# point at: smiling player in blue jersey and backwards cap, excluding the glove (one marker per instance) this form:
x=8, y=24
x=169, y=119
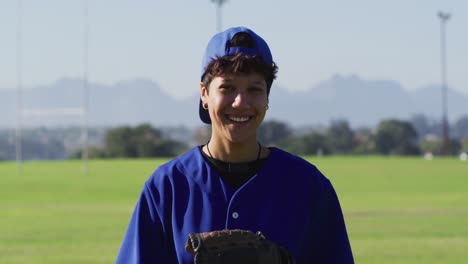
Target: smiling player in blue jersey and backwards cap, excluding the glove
x=233, y=182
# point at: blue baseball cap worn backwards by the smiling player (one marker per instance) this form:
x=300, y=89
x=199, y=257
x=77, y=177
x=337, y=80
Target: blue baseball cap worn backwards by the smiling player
x=219, y=46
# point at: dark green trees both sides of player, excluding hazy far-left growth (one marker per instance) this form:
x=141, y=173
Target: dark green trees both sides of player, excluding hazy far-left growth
x=389, y=137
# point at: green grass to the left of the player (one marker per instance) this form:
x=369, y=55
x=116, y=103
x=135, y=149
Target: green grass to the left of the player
x=52, y=213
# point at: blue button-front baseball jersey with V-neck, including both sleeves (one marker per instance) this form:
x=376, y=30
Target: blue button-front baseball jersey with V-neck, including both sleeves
x=289, y=200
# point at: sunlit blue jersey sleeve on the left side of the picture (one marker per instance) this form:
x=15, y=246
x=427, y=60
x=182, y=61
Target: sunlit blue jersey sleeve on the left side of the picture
x=143, y=242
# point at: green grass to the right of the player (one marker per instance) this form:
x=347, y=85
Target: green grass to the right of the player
x=403, y=210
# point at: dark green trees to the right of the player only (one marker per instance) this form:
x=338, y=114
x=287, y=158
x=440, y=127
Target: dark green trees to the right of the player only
x=389, y=137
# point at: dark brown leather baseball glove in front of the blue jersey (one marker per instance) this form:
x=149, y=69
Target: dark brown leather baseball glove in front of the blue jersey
x=235, y=247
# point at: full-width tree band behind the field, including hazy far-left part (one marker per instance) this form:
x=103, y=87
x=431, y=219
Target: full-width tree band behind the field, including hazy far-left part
x=415, y=136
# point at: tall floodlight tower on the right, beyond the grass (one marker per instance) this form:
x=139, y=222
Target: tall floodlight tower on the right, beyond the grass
x=445, y=128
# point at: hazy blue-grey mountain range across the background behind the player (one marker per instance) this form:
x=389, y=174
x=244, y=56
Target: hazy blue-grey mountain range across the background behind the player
x=361, y=102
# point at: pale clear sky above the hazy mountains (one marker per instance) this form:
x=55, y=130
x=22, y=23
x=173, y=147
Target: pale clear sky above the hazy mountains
x=164, y=41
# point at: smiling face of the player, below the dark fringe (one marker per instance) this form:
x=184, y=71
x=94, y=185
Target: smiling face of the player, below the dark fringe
x=237, y=105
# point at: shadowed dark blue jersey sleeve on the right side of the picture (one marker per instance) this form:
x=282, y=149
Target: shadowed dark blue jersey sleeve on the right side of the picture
x=336, y=242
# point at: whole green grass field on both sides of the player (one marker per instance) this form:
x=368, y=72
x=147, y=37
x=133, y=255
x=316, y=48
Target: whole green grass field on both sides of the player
x=397, y=210
